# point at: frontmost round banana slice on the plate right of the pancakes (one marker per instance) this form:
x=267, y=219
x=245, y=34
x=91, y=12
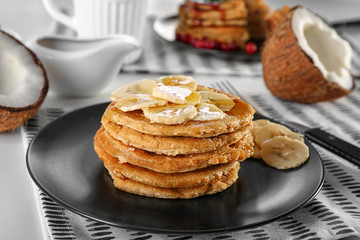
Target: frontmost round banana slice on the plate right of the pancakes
x=282, y=152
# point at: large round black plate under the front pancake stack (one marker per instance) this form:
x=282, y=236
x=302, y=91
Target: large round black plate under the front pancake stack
x=62, y=162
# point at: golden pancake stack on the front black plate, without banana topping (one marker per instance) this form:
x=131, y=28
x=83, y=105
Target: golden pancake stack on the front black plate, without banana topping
x=174, y=161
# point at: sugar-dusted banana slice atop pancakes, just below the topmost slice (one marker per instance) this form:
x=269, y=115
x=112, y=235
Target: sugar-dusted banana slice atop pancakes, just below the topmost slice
x=176, y=94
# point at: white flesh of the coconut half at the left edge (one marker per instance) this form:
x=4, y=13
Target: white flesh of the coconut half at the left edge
x=21, y=80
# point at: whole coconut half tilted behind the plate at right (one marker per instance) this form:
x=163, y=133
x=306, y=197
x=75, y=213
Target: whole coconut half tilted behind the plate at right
x=305, y=60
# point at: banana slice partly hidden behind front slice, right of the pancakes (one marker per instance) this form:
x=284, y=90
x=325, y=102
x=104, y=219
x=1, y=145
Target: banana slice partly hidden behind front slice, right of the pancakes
x=271, y=130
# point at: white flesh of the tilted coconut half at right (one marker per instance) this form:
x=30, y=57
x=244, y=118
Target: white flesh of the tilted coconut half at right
x=329, y=52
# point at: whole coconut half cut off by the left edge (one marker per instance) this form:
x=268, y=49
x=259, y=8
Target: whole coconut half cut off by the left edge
x=23, y=83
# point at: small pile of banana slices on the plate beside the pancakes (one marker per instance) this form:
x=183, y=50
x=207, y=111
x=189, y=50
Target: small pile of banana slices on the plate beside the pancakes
x=277, y=145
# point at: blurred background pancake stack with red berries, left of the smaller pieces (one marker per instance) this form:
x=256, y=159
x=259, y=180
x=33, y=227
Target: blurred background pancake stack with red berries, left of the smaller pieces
x=220, y=25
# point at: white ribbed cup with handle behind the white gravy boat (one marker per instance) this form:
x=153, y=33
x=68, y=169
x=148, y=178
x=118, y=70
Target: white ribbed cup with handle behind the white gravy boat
x=94, y=18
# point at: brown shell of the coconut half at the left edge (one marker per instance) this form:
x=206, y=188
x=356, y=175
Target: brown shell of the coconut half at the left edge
x=12, y=117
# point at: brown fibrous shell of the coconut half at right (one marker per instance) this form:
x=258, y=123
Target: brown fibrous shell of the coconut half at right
x=289, y=73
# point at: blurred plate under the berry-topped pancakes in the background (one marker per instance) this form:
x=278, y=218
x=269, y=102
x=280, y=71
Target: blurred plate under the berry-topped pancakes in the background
x=164, y=28
